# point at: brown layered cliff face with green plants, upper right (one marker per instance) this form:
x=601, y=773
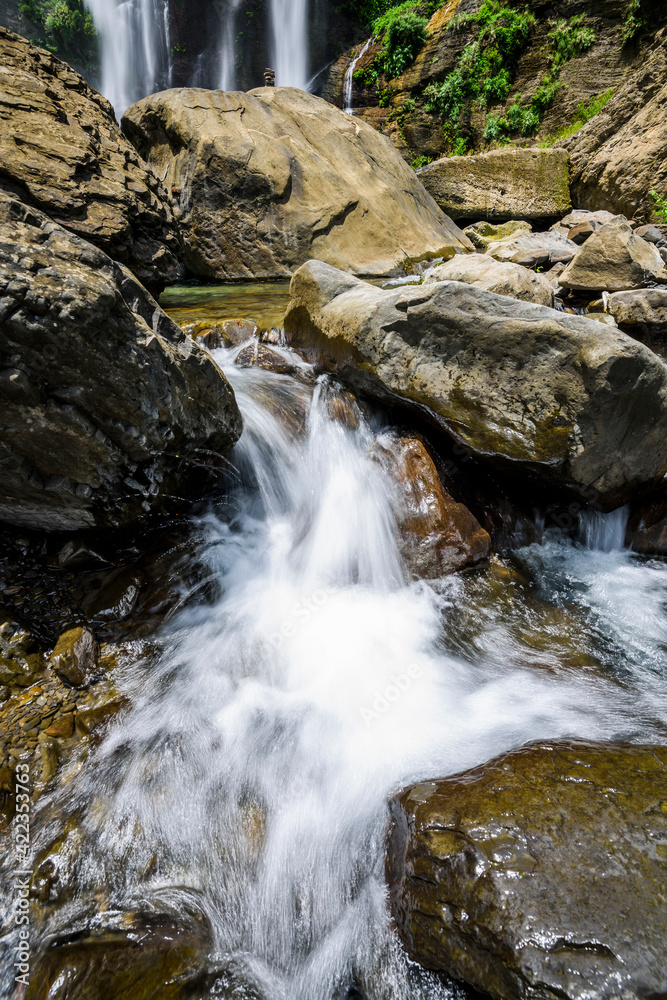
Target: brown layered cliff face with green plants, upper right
x=625, y=71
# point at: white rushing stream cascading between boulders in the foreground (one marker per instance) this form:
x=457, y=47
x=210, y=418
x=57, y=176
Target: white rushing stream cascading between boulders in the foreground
x=250, y=777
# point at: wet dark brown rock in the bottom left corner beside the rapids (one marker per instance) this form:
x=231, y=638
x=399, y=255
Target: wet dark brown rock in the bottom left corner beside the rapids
x=143, y=957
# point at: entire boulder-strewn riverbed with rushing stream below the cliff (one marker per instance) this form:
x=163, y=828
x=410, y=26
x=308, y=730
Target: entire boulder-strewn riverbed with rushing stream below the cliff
x=332, y=613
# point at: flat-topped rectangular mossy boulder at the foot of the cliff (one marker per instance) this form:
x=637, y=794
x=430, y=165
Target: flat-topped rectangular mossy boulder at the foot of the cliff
x=508, y=183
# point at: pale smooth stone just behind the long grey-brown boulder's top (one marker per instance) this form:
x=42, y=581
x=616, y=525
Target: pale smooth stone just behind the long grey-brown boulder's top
x=502, y=278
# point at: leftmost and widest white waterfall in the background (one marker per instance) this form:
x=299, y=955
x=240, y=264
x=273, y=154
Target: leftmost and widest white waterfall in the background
x=135, y=48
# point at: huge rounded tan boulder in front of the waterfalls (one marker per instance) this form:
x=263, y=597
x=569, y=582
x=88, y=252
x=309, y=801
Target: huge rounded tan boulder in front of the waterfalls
x=273, y=178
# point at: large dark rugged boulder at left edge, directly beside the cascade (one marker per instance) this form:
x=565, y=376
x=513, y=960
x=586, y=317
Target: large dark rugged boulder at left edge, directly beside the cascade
x=107, y=407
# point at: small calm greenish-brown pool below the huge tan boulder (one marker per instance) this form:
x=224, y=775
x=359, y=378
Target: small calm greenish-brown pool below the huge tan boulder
x=264, y=303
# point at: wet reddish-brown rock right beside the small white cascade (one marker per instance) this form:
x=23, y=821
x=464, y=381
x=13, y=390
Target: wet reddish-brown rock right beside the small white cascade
x=438, y=535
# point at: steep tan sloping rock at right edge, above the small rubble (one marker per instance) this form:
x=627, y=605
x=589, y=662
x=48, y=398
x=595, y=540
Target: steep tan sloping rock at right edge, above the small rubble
x=620, y=156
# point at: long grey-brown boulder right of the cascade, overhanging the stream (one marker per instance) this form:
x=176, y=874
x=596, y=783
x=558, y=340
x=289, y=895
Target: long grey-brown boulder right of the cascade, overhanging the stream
x=553, y=396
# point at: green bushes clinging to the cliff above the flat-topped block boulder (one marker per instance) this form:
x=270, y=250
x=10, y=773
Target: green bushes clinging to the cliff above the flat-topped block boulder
x=487, y=67
